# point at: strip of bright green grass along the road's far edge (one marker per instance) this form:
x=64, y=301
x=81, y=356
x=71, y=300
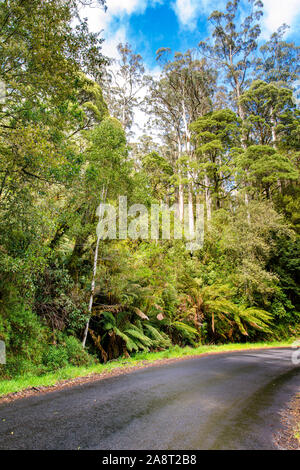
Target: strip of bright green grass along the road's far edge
x=27, y=381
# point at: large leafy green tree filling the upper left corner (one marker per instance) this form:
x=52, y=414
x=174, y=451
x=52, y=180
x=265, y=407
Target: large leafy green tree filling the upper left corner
x=43, y=59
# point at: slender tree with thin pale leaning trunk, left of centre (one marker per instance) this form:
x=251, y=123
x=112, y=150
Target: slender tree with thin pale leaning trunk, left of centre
x=105, y=173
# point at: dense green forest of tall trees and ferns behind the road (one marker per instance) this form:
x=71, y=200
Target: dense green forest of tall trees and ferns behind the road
x=223, y=131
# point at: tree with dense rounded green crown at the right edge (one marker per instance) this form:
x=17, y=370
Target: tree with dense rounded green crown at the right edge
x=268, y=161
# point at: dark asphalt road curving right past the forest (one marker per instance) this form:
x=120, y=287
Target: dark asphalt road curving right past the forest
x=227, y=401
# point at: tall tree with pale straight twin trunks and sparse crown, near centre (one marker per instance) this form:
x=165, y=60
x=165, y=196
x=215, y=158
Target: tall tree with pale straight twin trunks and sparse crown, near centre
x=182, y=94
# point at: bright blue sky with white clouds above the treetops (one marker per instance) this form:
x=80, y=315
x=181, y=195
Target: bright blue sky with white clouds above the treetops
x=178, y=24
